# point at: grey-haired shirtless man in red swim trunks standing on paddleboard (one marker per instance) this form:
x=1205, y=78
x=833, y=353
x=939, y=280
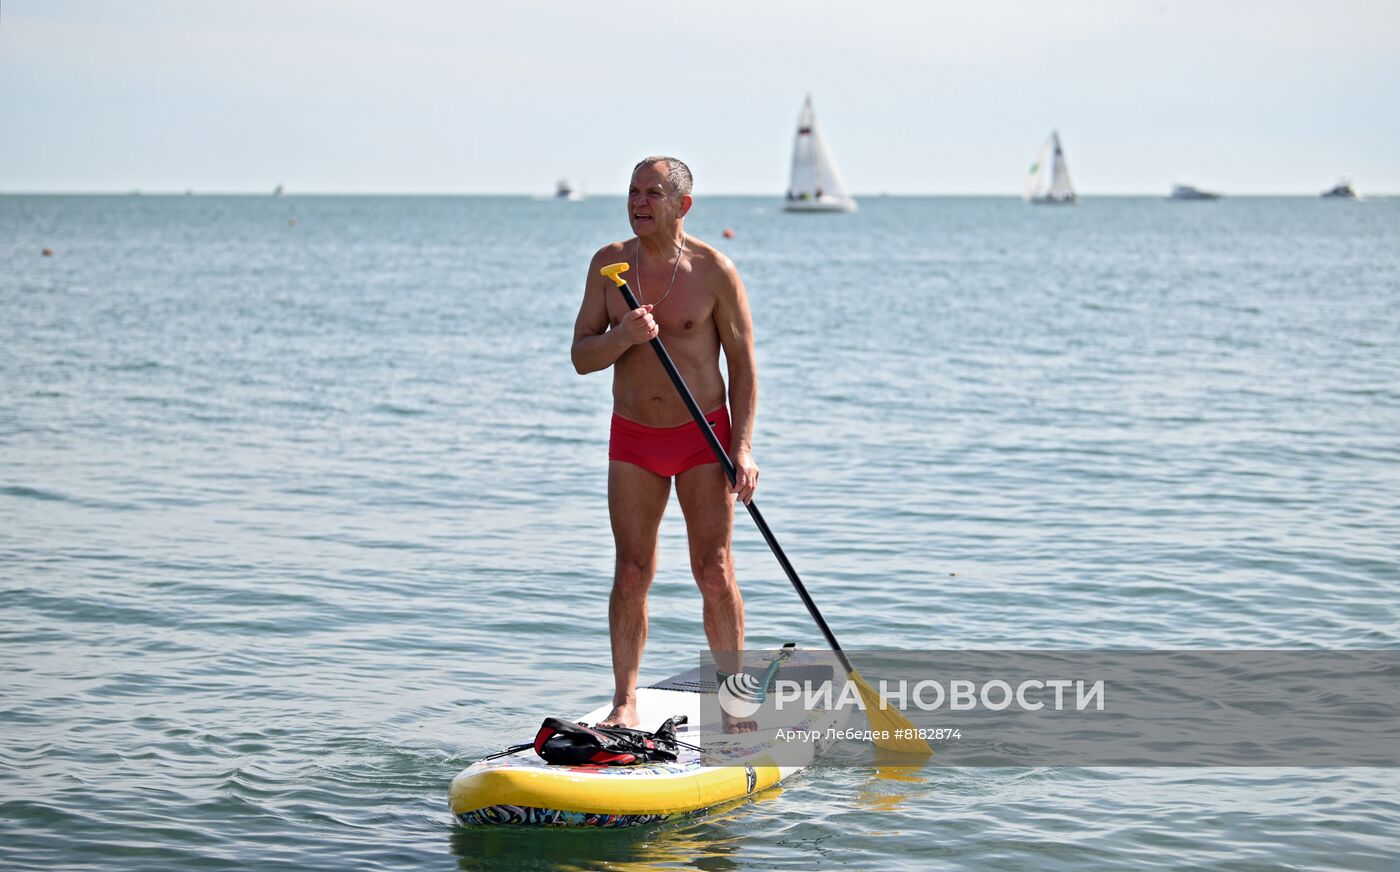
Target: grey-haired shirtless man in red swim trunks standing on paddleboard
x=694, y=299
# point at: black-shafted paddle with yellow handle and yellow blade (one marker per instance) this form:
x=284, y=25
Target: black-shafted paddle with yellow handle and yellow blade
x=887, y=724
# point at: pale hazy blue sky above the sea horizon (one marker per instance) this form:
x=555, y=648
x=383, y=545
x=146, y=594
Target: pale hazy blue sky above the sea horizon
x=507, y=97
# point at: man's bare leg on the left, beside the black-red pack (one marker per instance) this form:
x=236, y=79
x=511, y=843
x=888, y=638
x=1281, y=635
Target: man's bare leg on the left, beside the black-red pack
x=636, y=502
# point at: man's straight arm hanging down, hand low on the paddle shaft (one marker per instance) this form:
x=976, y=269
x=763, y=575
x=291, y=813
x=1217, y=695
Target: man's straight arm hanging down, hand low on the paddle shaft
x=736, y=327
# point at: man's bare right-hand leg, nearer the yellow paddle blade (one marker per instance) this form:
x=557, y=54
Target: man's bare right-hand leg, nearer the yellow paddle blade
x=709, y=507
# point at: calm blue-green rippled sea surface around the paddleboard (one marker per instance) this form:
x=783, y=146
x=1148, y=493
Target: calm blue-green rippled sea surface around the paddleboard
x=302, y=512
